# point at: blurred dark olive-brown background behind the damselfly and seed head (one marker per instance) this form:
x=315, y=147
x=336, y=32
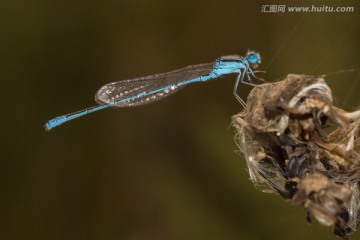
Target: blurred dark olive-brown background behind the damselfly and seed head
x=166, y=170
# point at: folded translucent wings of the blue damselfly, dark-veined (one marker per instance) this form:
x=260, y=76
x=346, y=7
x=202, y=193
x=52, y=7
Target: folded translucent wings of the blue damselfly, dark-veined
x=143, y=90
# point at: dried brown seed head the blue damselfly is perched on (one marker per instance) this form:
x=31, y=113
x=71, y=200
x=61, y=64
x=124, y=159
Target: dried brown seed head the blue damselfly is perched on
x=290, y=151
